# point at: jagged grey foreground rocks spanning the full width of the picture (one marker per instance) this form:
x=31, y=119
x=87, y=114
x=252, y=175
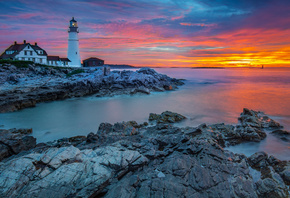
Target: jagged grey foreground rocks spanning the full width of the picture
x=155, y=159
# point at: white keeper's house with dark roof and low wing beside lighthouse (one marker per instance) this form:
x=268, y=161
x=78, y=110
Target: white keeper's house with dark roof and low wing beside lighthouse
x=28, y=52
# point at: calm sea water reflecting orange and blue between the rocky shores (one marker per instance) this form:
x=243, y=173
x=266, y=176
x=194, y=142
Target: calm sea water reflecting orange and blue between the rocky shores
x=209, y=96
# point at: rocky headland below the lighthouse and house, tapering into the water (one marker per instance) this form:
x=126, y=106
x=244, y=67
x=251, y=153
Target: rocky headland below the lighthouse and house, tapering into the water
x=25, y=86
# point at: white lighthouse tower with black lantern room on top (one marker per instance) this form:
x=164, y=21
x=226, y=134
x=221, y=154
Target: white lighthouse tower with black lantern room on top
x=73, y=52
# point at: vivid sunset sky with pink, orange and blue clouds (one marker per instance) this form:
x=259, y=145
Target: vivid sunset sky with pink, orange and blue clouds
x=188, y=33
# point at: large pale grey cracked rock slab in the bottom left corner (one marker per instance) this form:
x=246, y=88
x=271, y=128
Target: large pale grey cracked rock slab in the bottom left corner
x=66, y=171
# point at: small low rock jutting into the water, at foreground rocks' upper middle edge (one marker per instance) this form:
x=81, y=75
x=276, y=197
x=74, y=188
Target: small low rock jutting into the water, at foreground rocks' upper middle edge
x=166, y=117
